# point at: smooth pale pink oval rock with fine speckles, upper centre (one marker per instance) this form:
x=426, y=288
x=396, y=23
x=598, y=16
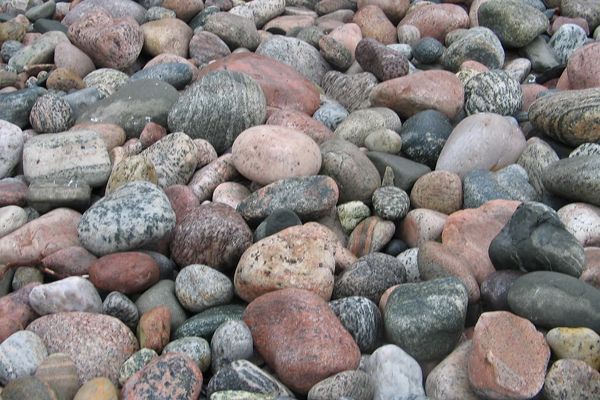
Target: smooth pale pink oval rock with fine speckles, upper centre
x=267, y=153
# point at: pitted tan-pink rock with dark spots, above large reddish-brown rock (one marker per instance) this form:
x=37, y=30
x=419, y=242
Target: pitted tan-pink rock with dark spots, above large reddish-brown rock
x=292, y=258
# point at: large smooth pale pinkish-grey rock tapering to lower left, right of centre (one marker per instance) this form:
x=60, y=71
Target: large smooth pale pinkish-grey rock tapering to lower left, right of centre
x=497, y=142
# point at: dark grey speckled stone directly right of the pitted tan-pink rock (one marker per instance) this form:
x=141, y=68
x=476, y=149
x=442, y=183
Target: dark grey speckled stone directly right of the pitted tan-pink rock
x=369, y=277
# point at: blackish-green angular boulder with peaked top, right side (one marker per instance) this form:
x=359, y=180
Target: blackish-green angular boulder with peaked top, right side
x=535, y=239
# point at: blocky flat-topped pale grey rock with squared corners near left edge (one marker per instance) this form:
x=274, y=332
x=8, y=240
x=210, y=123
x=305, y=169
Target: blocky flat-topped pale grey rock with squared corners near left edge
x=79, y=155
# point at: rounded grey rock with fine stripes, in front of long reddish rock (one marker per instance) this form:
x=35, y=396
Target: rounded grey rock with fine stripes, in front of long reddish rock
x=219, y=92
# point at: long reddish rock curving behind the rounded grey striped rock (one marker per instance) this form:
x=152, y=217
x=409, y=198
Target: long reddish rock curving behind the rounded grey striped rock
x=284, y=88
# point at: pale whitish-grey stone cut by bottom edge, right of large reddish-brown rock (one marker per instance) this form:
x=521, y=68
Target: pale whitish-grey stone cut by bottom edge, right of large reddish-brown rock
x=394, y=374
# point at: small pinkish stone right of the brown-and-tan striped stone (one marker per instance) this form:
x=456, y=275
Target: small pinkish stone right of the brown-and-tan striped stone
x=421, y=225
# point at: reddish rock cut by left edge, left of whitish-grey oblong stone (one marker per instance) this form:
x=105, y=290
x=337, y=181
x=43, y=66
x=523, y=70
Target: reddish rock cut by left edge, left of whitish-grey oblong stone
x=15, y=312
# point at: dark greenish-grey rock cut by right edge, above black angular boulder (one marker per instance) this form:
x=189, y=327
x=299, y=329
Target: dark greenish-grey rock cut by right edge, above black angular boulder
x=574, y=178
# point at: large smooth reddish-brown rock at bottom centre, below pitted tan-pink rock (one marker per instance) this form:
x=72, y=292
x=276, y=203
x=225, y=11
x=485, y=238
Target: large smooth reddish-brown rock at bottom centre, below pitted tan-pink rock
x=300, y=338
